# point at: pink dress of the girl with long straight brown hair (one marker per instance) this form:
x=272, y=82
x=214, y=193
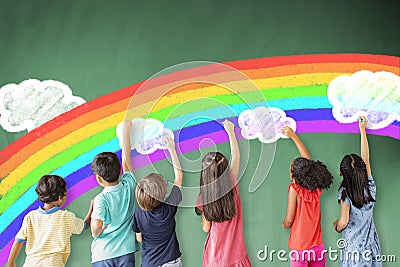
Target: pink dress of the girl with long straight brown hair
x=225, y=242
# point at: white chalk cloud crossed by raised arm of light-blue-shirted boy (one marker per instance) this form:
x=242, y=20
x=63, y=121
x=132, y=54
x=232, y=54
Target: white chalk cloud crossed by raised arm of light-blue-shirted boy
x=146, y=135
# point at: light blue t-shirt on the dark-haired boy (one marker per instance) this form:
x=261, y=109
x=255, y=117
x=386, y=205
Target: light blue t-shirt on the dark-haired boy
x=115, y=206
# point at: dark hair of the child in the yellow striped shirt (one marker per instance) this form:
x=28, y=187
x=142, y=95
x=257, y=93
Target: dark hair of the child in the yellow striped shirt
x=50, y=188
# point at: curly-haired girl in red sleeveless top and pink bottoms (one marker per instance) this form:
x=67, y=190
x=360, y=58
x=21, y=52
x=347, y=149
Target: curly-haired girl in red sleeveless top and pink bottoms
x=303, y=215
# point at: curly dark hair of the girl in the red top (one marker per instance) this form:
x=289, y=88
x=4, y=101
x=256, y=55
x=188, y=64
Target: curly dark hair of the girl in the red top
x=310, y=174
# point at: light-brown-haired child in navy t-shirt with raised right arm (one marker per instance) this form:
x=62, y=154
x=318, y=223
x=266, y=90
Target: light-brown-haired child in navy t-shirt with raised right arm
x=154, y=221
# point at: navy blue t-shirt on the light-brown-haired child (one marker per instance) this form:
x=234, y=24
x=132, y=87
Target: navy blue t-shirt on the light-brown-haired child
x=159, y=242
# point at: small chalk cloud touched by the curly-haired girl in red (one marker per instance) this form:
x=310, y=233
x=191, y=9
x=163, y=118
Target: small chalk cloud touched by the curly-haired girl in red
x=264, y=123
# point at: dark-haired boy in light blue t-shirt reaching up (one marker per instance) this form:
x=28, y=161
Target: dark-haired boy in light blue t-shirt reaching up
x=114, y=241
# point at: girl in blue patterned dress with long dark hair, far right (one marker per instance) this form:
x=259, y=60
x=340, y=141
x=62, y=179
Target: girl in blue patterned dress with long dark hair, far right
x=357, y=200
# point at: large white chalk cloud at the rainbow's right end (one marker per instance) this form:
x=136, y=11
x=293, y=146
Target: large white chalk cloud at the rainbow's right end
x=365, y=93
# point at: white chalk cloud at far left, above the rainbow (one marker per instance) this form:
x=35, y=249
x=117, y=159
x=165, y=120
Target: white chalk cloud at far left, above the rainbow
x=31, y=103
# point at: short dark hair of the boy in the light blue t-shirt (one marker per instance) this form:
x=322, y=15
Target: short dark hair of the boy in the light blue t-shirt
x=107, y=166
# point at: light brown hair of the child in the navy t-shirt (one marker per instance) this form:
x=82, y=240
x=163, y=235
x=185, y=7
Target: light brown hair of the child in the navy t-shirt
x=150, y=191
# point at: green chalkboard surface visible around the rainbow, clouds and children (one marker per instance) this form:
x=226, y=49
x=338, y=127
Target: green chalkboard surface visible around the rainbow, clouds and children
x=97, y=47
